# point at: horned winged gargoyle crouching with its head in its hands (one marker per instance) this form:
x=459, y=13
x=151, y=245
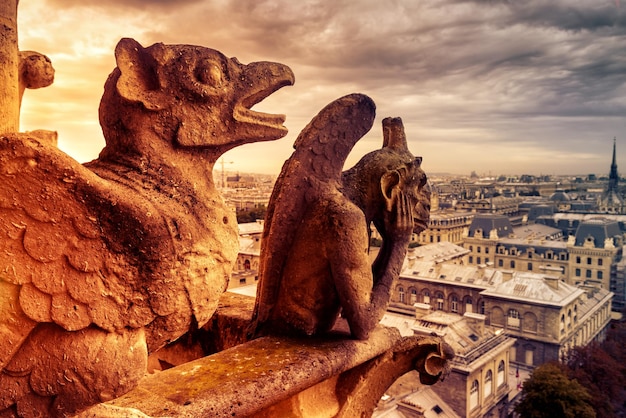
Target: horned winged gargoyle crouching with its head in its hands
x=314, y=251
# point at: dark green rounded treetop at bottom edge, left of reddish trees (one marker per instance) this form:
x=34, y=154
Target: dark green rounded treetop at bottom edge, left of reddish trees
x=548, y=393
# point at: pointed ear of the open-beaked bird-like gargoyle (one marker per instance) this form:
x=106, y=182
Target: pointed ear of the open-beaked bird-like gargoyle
x=139, y=80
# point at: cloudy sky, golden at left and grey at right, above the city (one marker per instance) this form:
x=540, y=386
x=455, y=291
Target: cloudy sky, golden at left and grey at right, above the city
x=535, y=86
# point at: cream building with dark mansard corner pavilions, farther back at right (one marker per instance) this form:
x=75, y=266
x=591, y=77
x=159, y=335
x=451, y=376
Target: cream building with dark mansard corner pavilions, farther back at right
x=590, y=256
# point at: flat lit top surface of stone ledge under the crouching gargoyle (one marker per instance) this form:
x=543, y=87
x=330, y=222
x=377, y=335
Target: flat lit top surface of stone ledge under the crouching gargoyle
x=252, y=376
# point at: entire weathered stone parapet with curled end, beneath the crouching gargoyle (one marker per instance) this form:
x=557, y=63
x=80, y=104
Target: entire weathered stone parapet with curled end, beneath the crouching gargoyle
x=334, y=376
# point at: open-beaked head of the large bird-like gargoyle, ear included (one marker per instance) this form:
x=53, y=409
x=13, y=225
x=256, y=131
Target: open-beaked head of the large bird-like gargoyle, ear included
x=194, y=96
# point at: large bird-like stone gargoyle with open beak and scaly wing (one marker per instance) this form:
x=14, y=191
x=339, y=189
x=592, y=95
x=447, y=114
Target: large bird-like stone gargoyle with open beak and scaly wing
x=103, y=263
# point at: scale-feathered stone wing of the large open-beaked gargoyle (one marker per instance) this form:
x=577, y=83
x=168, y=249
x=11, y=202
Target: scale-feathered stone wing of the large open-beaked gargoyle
x=55, y=265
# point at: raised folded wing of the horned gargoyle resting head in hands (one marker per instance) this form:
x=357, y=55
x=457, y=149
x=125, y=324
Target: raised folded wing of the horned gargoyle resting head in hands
x=314, y=168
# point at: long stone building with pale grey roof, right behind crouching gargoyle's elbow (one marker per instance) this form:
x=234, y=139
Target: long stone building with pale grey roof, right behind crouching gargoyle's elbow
x=546, y=315
